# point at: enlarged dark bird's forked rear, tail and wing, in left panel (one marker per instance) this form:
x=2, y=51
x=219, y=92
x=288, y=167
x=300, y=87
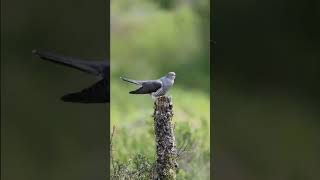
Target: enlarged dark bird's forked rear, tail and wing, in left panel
x=99, y=92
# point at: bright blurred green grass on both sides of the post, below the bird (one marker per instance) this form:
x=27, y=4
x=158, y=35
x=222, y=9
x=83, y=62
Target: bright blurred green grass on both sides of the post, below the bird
x=132, y=116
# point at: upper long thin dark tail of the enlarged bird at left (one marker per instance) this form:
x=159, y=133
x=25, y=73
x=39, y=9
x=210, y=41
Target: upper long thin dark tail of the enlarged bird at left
x=92, y=67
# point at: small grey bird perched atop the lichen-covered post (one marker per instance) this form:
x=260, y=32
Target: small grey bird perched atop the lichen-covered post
x=155, y=88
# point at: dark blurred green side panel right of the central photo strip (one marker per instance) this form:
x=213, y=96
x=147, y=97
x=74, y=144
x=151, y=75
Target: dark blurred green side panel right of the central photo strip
x=266, y=90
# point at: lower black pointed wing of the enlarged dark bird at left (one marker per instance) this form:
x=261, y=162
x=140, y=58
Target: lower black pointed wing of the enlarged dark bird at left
x=97, y=93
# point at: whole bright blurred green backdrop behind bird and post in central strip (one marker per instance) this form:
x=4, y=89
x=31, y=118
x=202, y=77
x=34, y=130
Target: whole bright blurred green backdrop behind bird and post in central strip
x=148, y=40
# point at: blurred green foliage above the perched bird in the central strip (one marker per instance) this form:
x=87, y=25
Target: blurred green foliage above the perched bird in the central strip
x=147, y=41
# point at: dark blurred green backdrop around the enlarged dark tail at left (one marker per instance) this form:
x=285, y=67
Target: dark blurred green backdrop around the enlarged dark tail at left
x=42, y=137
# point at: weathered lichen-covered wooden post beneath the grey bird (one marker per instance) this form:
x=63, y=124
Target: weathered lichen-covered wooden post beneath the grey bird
x=166, y=164
